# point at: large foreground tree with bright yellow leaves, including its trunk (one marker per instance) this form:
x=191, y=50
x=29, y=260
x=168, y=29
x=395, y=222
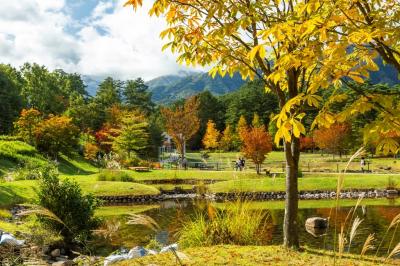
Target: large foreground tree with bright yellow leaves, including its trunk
x=295, y=47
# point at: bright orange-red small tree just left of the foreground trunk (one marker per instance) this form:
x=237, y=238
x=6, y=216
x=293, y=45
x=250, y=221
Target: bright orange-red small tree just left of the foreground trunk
x=257, y=143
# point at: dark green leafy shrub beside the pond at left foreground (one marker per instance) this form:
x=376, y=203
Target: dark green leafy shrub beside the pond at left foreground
x=66, y=200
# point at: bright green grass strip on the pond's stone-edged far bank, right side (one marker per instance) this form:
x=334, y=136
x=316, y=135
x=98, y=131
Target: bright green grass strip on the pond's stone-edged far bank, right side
x=361, y=181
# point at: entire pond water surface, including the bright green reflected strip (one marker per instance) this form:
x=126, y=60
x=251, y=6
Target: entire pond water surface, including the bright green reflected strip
x=376, y=214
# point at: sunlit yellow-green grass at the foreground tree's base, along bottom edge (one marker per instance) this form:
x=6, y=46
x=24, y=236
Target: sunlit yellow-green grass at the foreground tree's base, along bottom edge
x=254, y=255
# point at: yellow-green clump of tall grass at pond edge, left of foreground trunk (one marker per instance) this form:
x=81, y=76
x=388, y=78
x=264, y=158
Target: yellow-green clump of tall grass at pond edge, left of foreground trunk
x=236, y=224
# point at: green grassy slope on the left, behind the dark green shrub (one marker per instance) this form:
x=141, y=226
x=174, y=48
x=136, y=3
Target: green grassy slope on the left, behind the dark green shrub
x=12, y=152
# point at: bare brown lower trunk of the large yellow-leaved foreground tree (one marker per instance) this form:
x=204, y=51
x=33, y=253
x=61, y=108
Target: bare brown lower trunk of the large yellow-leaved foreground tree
x=290, y=226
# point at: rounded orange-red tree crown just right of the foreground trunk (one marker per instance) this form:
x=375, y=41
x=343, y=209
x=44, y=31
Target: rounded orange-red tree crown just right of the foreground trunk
x=333, y=138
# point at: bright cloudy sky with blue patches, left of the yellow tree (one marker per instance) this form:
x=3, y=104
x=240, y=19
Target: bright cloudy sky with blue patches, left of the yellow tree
x=91, y=37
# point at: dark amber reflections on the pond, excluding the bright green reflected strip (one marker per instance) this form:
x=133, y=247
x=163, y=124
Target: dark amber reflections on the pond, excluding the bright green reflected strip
x=171, y=214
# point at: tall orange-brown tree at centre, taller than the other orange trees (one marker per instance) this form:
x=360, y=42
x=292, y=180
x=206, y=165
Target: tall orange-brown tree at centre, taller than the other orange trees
x=182, y=123
